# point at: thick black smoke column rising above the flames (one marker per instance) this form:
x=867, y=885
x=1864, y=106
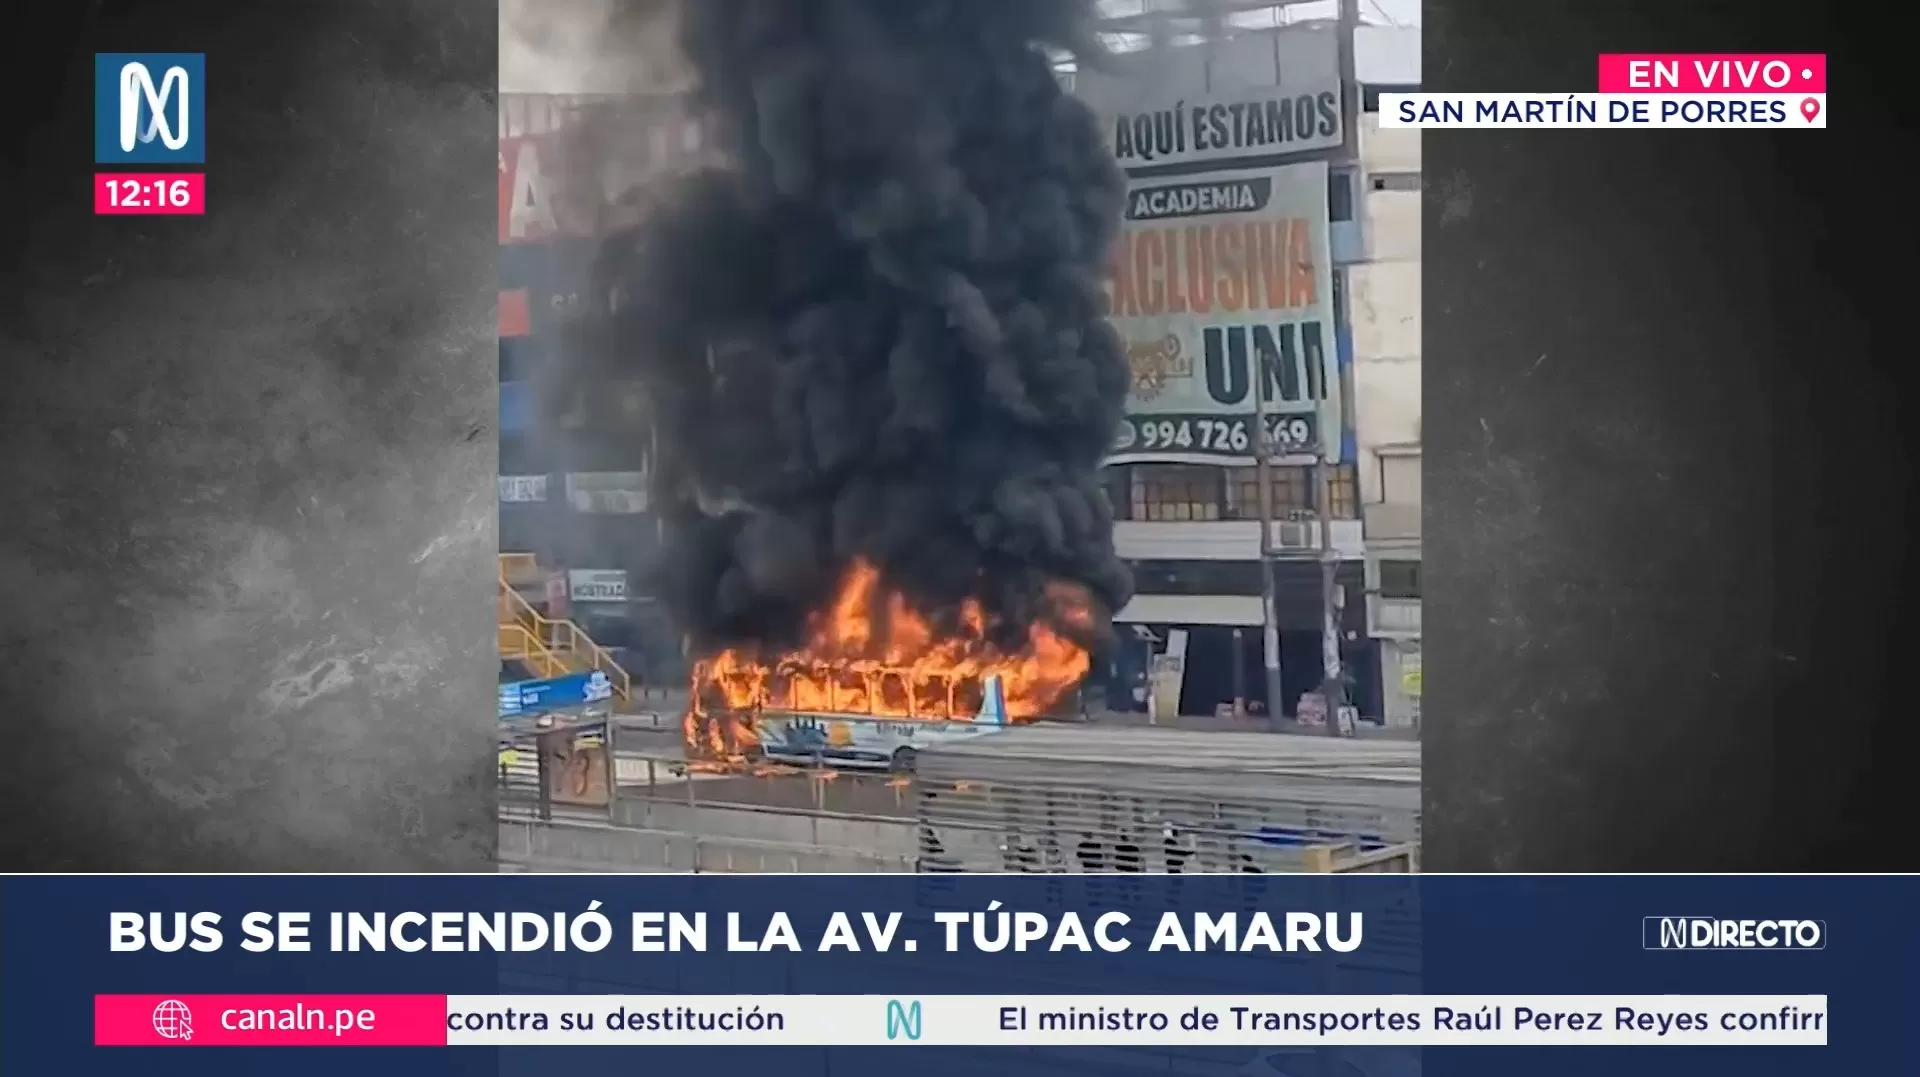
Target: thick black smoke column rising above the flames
x=880, y=333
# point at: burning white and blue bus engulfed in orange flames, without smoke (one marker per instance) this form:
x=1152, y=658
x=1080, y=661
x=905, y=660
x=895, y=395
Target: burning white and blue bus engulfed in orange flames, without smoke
x=876, y=682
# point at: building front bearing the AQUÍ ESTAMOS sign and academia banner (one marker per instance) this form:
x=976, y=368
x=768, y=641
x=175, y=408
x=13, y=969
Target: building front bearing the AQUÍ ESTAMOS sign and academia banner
x=1247, y=130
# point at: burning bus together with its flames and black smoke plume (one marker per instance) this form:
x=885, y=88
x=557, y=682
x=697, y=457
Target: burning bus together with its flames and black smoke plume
x=876, y=370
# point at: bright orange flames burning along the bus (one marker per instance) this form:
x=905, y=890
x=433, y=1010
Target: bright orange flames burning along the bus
x=871, y=654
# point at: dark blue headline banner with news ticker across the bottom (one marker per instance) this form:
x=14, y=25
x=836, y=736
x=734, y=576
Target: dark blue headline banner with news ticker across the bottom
x=1007, y=976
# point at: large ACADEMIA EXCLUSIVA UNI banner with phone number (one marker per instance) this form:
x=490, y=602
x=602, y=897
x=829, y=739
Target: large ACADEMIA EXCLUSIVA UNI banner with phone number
x=1222, y=285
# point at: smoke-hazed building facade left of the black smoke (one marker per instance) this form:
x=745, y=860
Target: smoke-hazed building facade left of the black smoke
x=575, y=464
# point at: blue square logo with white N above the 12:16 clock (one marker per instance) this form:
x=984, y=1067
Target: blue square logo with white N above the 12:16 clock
x=151, y=108
